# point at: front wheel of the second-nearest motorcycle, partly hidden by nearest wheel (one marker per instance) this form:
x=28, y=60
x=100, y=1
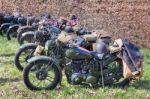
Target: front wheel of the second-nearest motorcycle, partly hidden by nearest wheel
x=23, y=54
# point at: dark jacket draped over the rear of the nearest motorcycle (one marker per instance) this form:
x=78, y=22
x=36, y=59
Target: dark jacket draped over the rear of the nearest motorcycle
x=131, y=55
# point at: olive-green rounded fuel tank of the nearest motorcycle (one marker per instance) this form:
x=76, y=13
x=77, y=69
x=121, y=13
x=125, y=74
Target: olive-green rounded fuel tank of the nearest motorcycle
x=78, y=53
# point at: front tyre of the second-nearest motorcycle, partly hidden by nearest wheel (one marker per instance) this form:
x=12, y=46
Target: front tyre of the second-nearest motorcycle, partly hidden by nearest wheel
x=19, y=52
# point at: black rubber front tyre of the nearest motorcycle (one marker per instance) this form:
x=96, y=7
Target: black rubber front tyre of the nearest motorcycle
x=30, y=86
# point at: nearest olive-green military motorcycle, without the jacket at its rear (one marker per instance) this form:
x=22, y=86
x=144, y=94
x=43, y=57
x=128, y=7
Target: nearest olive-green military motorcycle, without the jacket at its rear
x=81, y=66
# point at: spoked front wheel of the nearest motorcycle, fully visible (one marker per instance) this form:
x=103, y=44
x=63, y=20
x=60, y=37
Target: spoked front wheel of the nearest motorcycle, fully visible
x=41, y=75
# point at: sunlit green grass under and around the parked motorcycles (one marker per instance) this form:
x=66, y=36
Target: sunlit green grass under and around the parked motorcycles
x=12, y=86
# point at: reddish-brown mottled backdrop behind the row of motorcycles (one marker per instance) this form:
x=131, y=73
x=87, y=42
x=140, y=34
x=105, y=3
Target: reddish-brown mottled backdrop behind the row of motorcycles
x=123, y=18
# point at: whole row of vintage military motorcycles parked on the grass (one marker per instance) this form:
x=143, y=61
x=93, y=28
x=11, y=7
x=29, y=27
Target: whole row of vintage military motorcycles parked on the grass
x=50, y=49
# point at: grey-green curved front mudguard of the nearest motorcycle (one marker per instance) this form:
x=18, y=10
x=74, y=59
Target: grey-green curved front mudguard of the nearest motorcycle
x=40, y=58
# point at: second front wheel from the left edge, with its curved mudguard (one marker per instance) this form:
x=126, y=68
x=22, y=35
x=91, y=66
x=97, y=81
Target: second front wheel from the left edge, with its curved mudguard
x=12, y=29
